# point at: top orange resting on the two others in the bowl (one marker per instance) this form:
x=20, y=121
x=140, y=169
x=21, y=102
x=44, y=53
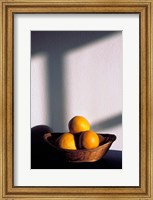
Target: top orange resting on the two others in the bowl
x=78, y=124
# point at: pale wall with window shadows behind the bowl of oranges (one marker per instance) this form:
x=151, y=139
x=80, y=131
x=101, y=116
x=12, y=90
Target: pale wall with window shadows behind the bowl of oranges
x=77, y=73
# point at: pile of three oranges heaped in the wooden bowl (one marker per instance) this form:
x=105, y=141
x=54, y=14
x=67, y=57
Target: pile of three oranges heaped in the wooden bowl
x=79, y=136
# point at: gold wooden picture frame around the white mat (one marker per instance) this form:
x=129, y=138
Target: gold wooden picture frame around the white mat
x=145, y=11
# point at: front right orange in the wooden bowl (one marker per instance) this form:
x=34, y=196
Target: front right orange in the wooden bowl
x=89, y=140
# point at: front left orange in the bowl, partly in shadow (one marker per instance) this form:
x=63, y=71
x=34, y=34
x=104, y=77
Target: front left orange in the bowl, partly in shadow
x=67, y=141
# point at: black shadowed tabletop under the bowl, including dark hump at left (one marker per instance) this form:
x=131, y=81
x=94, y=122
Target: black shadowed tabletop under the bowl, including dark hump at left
x=43, y=156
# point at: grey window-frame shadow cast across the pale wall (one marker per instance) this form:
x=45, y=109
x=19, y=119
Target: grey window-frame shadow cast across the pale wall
x=55, y=44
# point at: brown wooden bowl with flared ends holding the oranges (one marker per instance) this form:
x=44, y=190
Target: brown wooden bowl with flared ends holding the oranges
x=82, y=155
